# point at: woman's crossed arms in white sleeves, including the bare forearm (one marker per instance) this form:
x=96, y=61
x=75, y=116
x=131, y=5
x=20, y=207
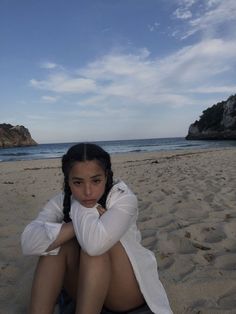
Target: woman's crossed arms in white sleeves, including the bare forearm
x=96, y=230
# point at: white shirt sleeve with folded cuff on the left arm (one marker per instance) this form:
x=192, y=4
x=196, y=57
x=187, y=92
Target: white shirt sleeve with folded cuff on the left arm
x=43, y=231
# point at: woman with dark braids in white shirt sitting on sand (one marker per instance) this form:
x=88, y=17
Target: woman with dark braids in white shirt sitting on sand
x=89, y=244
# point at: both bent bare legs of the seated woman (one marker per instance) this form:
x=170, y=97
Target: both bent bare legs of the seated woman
x=92, y=281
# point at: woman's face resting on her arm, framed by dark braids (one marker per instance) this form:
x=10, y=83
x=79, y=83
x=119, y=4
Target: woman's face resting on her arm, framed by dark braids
x=87, y=181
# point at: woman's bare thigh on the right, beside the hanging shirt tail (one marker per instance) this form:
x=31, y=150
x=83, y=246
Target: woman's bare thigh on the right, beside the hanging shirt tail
x=124, y=292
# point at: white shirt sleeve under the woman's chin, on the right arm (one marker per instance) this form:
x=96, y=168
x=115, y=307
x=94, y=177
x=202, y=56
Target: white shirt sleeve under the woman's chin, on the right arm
x=96, y=234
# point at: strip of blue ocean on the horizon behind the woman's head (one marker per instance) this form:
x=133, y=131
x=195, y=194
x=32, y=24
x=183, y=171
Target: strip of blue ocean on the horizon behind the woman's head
x=56, y=150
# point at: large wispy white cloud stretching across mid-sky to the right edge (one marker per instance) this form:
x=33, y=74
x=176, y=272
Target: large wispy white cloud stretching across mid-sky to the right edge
x=137, y=82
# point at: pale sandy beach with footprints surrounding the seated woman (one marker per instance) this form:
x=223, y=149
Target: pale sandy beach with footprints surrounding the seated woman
x=187, y=216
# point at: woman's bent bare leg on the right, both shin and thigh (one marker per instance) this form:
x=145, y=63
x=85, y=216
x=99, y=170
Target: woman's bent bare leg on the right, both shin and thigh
x=107, y=279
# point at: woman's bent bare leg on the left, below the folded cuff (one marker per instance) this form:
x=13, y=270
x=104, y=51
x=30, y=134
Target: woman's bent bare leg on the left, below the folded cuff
x=49, y=278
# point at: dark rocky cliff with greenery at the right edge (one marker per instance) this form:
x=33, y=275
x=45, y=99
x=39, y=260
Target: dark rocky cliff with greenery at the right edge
x=216, y=123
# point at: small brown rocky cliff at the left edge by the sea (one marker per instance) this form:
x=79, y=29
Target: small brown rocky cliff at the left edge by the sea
x=15, y=136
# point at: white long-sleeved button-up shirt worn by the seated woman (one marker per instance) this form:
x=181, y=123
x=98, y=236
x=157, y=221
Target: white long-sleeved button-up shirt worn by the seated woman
x=97, y=234
